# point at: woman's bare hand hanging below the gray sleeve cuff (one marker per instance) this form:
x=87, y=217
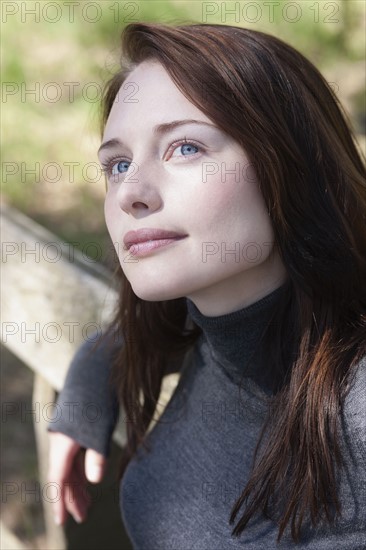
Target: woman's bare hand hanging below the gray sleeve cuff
x=70, y=467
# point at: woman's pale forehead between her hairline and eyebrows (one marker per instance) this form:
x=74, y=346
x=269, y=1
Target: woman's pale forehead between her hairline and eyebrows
x=149, y=96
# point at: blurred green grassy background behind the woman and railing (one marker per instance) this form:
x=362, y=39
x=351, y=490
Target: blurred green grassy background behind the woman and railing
x=56, y=56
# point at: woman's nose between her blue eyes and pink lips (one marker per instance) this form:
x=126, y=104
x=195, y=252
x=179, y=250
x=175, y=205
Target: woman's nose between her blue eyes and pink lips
x=139, y=193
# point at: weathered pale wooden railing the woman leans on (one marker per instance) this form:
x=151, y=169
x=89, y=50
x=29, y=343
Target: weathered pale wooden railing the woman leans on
x=52, y=298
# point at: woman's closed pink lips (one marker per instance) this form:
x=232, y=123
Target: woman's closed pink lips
x=150, y=239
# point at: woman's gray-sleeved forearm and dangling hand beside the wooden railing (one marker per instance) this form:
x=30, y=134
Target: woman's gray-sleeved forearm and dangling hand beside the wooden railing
x=84, y=417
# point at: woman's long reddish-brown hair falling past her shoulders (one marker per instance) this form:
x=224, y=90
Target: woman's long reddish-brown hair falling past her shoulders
x=276, y=104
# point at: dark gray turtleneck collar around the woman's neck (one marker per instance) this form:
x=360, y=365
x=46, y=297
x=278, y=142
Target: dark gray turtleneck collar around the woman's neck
x=232, y=338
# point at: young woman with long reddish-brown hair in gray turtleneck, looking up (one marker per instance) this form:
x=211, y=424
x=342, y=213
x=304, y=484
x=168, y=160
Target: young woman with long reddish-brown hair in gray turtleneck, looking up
x=237, y=204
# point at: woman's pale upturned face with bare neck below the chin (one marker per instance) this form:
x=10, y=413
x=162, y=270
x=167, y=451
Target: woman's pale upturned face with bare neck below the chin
x=192, y=179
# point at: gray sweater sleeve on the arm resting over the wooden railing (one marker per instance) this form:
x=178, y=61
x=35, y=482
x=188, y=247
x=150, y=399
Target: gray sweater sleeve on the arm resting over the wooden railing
x=87, y=407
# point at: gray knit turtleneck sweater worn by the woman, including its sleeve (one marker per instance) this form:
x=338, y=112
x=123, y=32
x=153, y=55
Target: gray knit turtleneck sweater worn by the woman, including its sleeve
x=179, y=495
